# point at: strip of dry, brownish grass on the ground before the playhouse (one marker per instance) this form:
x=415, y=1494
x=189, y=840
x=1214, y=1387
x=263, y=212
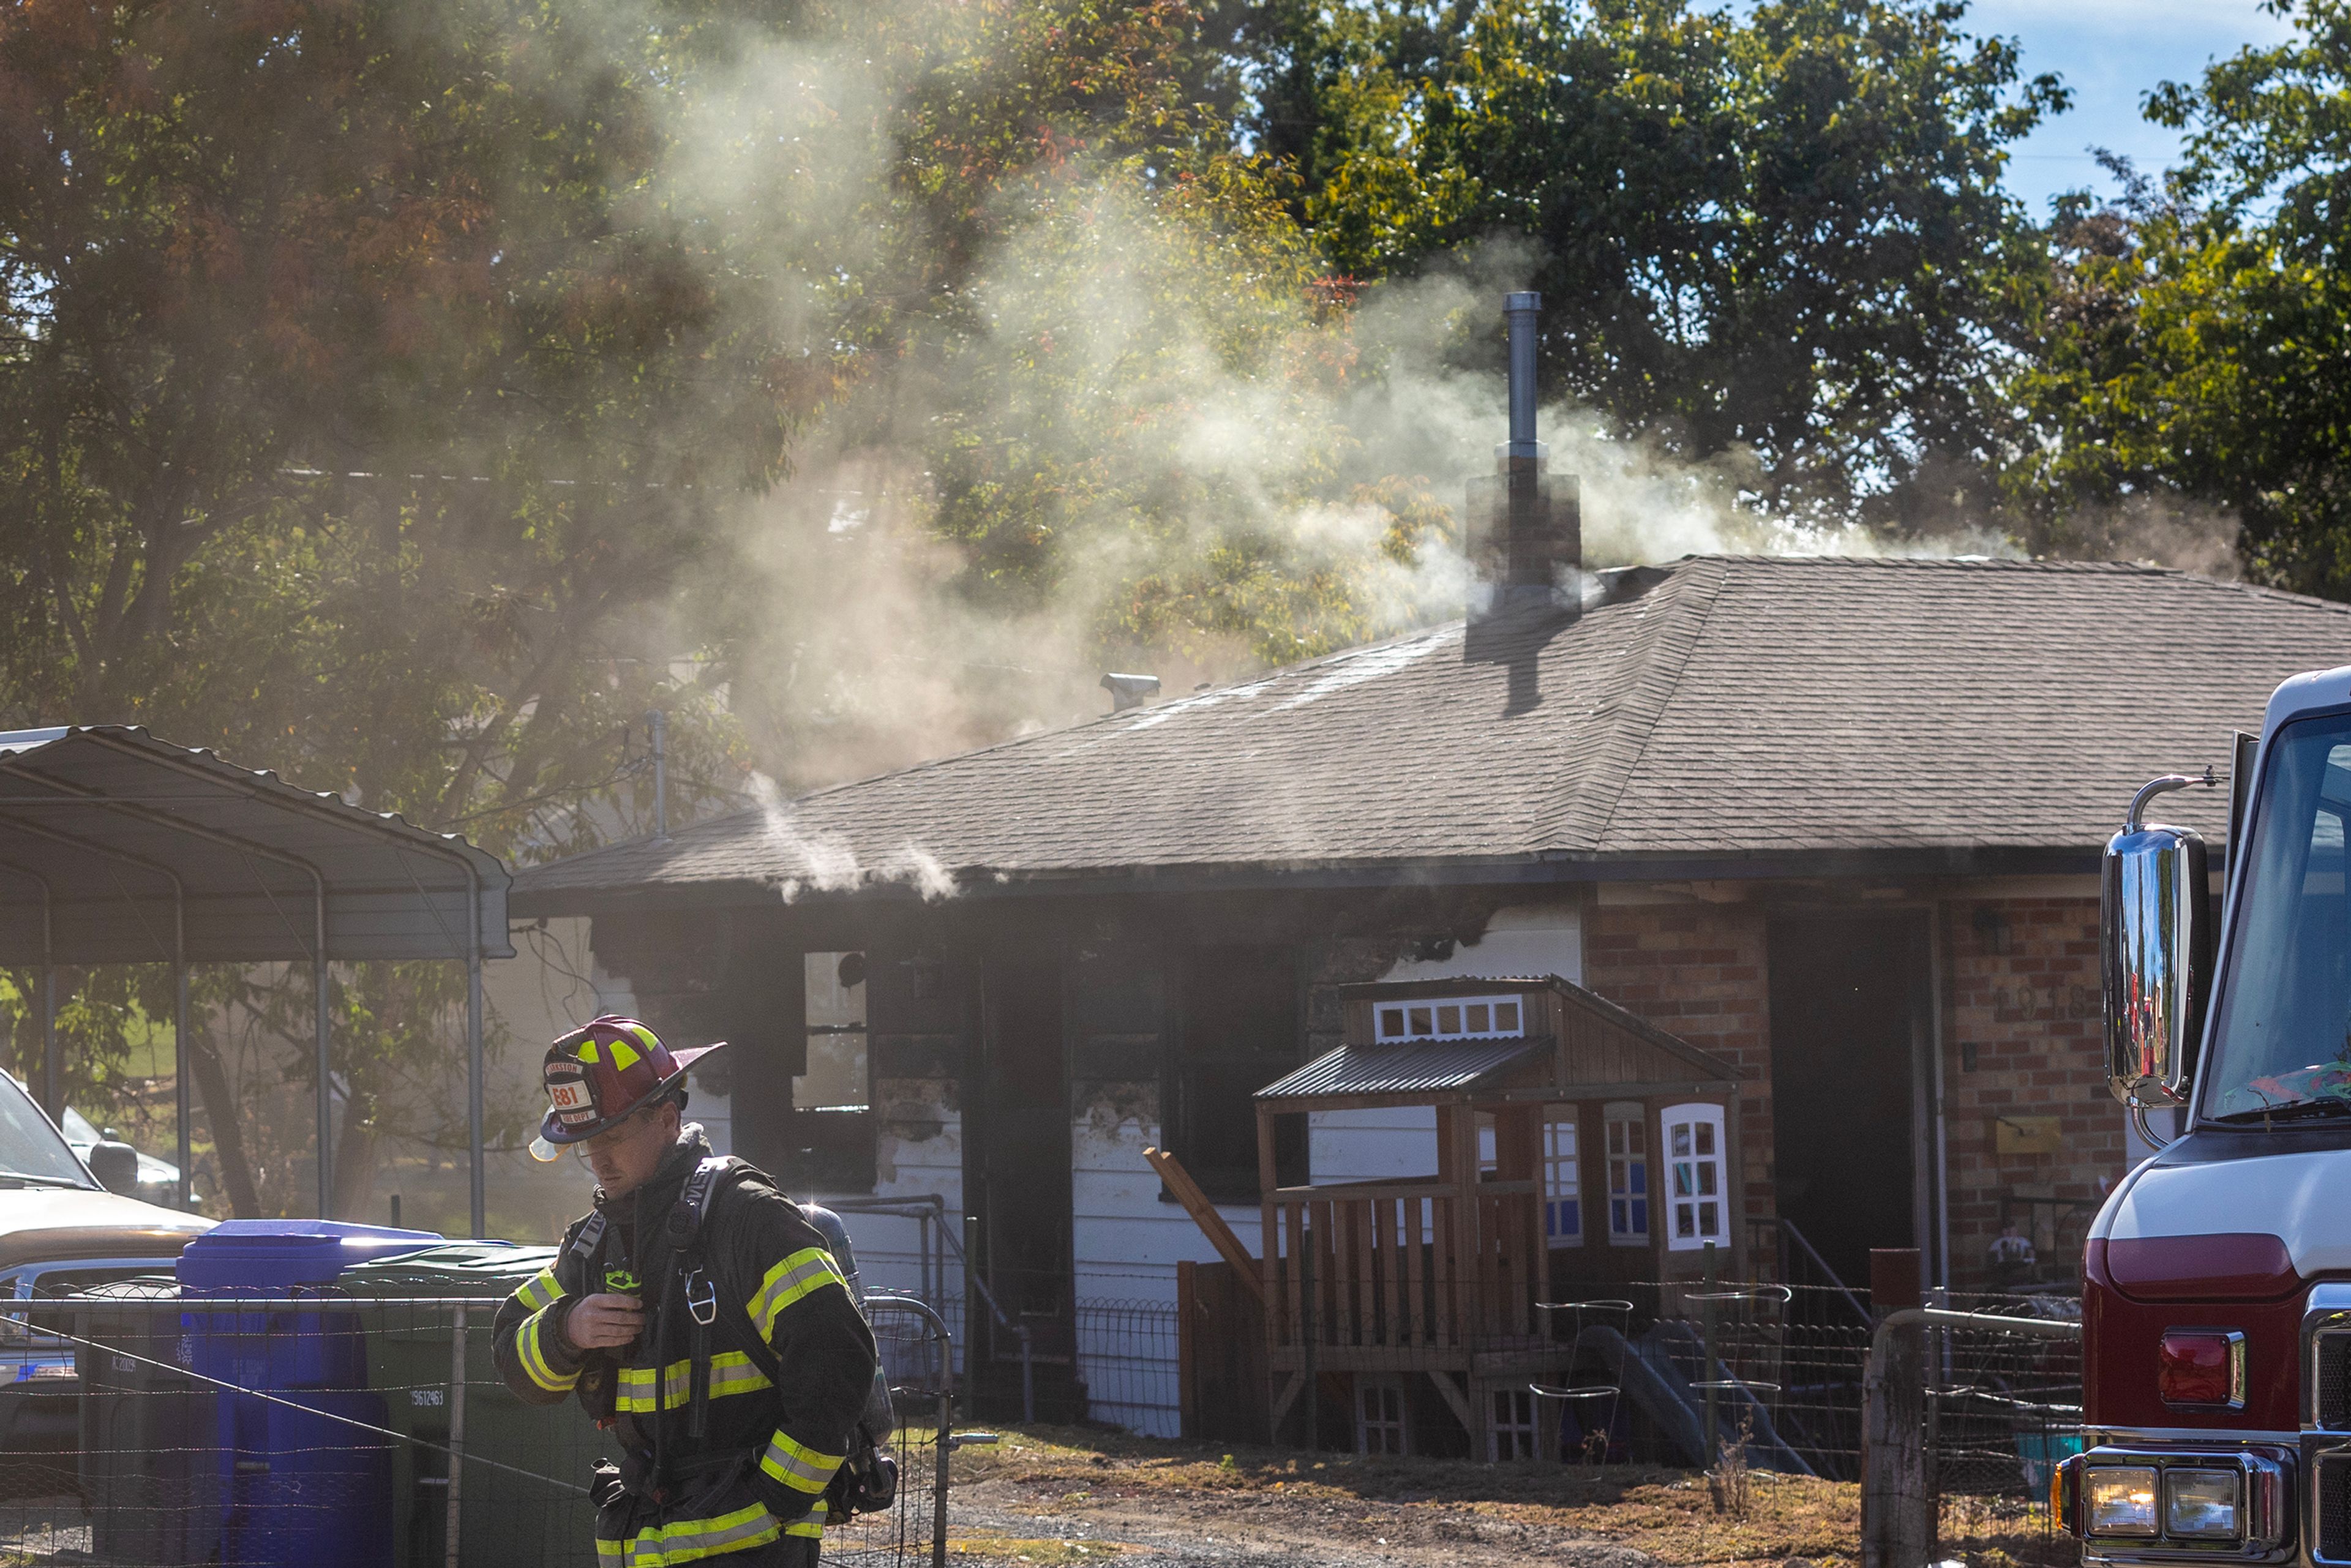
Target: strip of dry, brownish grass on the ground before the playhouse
x=1666, y=1513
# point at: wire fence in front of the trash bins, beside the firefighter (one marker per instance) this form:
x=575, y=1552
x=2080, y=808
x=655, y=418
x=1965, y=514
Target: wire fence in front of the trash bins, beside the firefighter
x=370, y=1433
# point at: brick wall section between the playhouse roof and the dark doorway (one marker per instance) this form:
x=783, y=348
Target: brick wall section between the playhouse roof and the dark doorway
x=1699, y=972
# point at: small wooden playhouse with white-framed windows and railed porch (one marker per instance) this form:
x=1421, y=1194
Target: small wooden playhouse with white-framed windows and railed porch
x=1574, y=1151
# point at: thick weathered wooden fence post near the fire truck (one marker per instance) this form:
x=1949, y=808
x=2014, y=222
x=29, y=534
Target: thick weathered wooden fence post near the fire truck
x=1898, y=1515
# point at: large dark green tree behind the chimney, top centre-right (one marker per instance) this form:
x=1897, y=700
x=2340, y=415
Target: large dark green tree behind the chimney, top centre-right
x=1781, y=234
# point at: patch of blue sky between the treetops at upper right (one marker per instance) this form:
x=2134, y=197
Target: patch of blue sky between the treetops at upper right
x=2110, y=53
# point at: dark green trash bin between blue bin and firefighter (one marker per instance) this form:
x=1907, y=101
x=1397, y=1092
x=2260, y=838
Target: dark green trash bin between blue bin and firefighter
x=504, y=1520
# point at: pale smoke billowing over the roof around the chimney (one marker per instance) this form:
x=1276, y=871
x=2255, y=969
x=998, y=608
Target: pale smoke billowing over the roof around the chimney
x=1127, y=438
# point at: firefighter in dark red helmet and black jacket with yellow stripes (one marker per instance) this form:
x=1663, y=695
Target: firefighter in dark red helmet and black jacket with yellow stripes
x=695, y=1313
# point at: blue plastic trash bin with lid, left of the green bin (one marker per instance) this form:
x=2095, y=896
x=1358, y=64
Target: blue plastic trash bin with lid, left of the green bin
x=300, y=1487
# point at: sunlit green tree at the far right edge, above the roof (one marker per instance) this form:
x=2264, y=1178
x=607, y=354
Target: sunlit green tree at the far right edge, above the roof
x=2192, y=347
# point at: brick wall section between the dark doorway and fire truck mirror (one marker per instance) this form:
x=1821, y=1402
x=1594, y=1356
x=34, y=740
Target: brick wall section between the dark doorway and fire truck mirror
x=2023, y=1043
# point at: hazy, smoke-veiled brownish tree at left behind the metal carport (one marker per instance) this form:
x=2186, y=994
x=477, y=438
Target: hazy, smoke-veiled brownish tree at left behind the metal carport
x=356, y=417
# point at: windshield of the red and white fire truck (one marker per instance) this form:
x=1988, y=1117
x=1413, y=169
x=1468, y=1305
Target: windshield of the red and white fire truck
x=2282, y=1038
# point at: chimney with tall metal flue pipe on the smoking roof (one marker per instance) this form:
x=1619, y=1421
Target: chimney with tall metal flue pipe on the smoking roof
x=1525, y=528
